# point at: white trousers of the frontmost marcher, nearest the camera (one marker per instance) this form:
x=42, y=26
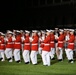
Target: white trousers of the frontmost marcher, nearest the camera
x=46, y=58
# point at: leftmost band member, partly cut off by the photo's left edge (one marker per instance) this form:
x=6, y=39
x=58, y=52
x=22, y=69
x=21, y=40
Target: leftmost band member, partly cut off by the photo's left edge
x=2, y=46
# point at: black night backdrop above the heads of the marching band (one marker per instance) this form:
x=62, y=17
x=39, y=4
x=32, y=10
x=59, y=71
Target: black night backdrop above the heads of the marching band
x=26, y=14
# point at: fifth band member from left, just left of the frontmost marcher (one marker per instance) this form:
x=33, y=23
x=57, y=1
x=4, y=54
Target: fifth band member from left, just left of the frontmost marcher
x=34, y=46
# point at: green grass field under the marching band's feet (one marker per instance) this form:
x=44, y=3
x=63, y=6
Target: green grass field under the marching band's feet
x=56, y=68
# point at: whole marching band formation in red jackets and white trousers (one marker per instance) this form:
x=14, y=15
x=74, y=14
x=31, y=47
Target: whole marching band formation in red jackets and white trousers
x=47, y=43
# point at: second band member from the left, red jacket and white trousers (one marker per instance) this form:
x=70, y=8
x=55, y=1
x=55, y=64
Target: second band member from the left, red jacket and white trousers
x=9, y=45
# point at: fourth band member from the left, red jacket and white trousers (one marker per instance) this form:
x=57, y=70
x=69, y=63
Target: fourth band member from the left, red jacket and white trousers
x=26, y=50
